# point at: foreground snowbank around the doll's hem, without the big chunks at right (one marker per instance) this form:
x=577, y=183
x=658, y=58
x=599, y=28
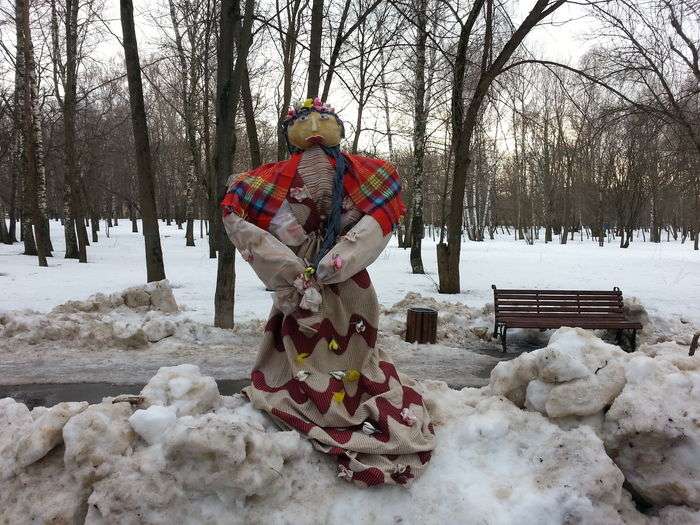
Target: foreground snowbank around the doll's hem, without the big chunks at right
x=184, y=456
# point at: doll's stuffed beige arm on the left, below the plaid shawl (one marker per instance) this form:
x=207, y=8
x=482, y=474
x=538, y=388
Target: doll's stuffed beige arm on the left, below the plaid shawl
x=275, y=264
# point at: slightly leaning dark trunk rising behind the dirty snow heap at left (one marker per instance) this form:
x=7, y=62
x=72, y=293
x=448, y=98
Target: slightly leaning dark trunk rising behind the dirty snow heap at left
x=154, y=254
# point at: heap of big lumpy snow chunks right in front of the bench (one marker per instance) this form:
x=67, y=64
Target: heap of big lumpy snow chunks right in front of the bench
x=644, y=405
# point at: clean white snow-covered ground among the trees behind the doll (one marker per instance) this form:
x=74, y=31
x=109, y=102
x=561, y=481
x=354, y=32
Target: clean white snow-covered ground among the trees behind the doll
x=665, y=277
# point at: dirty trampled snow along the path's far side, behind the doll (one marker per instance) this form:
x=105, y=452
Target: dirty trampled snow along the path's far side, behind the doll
x=124, y=337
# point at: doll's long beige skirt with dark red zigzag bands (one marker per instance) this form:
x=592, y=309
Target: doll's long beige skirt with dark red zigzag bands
x=324, y=377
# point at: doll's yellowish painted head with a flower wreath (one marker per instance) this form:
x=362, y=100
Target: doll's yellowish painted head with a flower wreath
x=310, y=123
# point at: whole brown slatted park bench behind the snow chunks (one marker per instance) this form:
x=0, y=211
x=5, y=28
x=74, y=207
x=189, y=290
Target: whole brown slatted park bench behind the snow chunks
x=549, y=309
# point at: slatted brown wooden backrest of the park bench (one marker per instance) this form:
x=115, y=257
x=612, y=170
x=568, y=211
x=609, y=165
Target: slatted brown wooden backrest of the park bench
x=558, y=303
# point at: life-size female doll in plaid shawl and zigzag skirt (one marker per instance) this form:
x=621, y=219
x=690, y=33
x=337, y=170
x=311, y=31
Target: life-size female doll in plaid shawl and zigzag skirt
x=309, y=226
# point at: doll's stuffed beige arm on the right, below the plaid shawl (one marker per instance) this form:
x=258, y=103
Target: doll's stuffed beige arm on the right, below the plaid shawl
x=354, y=252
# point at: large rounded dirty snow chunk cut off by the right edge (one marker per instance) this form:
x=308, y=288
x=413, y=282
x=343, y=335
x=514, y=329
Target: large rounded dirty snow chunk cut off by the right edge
x=652, y=429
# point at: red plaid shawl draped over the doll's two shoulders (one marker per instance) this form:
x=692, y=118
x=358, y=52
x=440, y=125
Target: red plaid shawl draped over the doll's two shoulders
x=372, y=184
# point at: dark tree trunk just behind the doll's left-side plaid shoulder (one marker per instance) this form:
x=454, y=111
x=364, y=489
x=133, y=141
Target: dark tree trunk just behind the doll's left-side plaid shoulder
x=228, y=90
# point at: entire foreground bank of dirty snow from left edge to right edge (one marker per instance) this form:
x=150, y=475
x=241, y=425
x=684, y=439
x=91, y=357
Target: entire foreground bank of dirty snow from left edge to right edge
x=186, y=454
